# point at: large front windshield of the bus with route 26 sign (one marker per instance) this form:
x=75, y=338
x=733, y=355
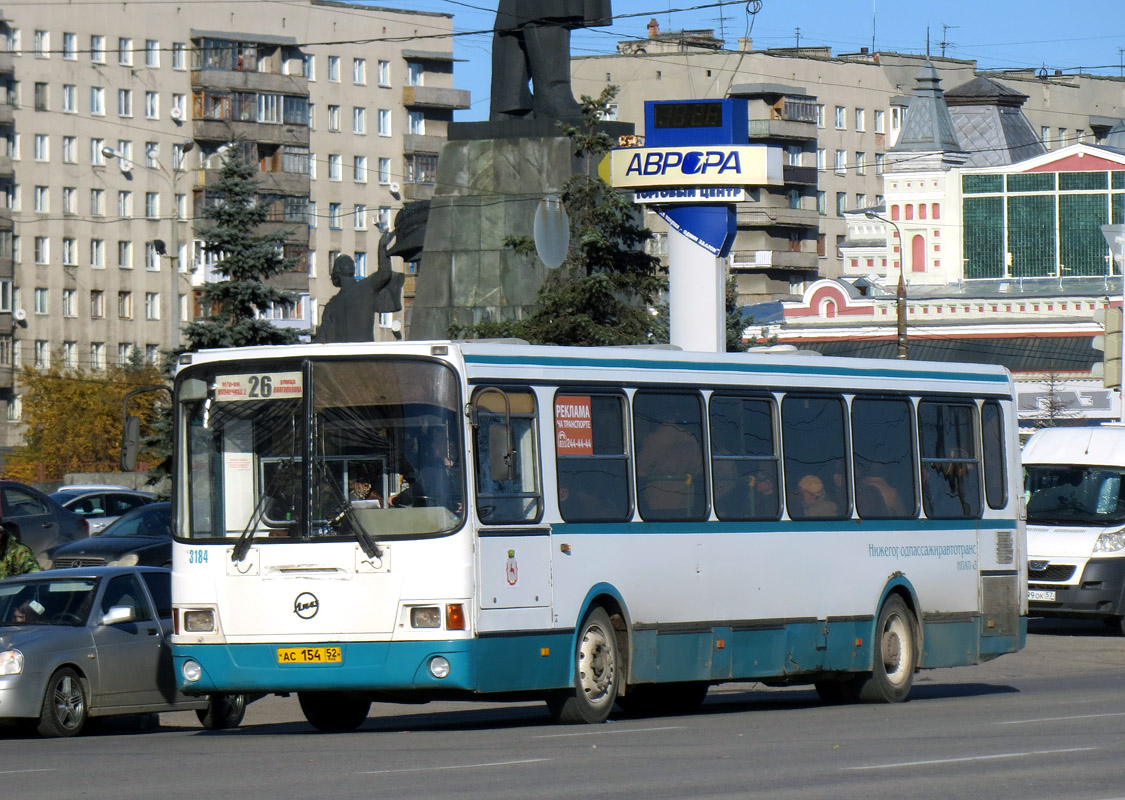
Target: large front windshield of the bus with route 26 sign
x=368, y=450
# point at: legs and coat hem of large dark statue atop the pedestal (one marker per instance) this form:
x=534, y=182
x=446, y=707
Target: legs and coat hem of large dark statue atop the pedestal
x=532, y=42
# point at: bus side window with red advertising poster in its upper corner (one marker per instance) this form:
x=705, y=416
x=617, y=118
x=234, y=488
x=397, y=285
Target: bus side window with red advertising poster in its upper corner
x=592, y=459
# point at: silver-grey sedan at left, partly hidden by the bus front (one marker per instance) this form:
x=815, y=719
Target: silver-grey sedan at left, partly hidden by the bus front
x=94, y=642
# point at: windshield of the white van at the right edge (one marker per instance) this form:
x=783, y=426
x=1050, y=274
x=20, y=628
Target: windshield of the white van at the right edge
x=1067, y=495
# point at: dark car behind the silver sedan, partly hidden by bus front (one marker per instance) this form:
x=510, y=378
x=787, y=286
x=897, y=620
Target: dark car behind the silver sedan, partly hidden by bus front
x=141, y=537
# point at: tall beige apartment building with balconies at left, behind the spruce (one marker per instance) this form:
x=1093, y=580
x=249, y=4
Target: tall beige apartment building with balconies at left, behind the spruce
x=113, y=125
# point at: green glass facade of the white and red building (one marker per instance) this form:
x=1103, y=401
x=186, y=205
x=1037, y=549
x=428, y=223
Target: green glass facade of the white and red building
x=1040, y=224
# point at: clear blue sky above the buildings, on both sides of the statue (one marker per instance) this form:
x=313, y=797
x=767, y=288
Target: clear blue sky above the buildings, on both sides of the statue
x=1000, y=34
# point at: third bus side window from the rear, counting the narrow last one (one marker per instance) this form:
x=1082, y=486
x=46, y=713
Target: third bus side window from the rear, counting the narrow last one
x=884, y=459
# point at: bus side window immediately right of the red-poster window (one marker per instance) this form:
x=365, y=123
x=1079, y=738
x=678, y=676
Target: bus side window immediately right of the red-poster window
x=669, y=439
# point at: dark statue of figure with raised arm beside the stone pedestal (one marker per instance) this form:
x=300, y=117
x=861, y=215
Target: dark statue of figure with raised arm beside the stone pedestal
x=350, y=316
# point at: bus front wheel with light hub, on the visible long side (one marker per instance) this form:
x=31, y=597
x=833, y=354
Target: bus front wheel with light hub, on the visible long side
x=597, y=675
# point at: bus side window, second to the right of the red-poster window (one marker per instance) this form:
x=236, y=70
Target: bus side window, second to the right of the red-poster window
x=744, y=459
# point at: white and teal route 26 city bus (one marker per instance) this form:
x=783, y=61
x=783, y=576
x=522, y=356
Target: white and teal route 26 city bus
x=445, y=520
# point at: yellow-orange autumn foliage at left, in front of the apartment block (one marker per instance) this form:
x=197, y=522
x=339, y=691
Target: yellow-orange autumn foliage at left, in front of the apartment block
x=74, y=420
